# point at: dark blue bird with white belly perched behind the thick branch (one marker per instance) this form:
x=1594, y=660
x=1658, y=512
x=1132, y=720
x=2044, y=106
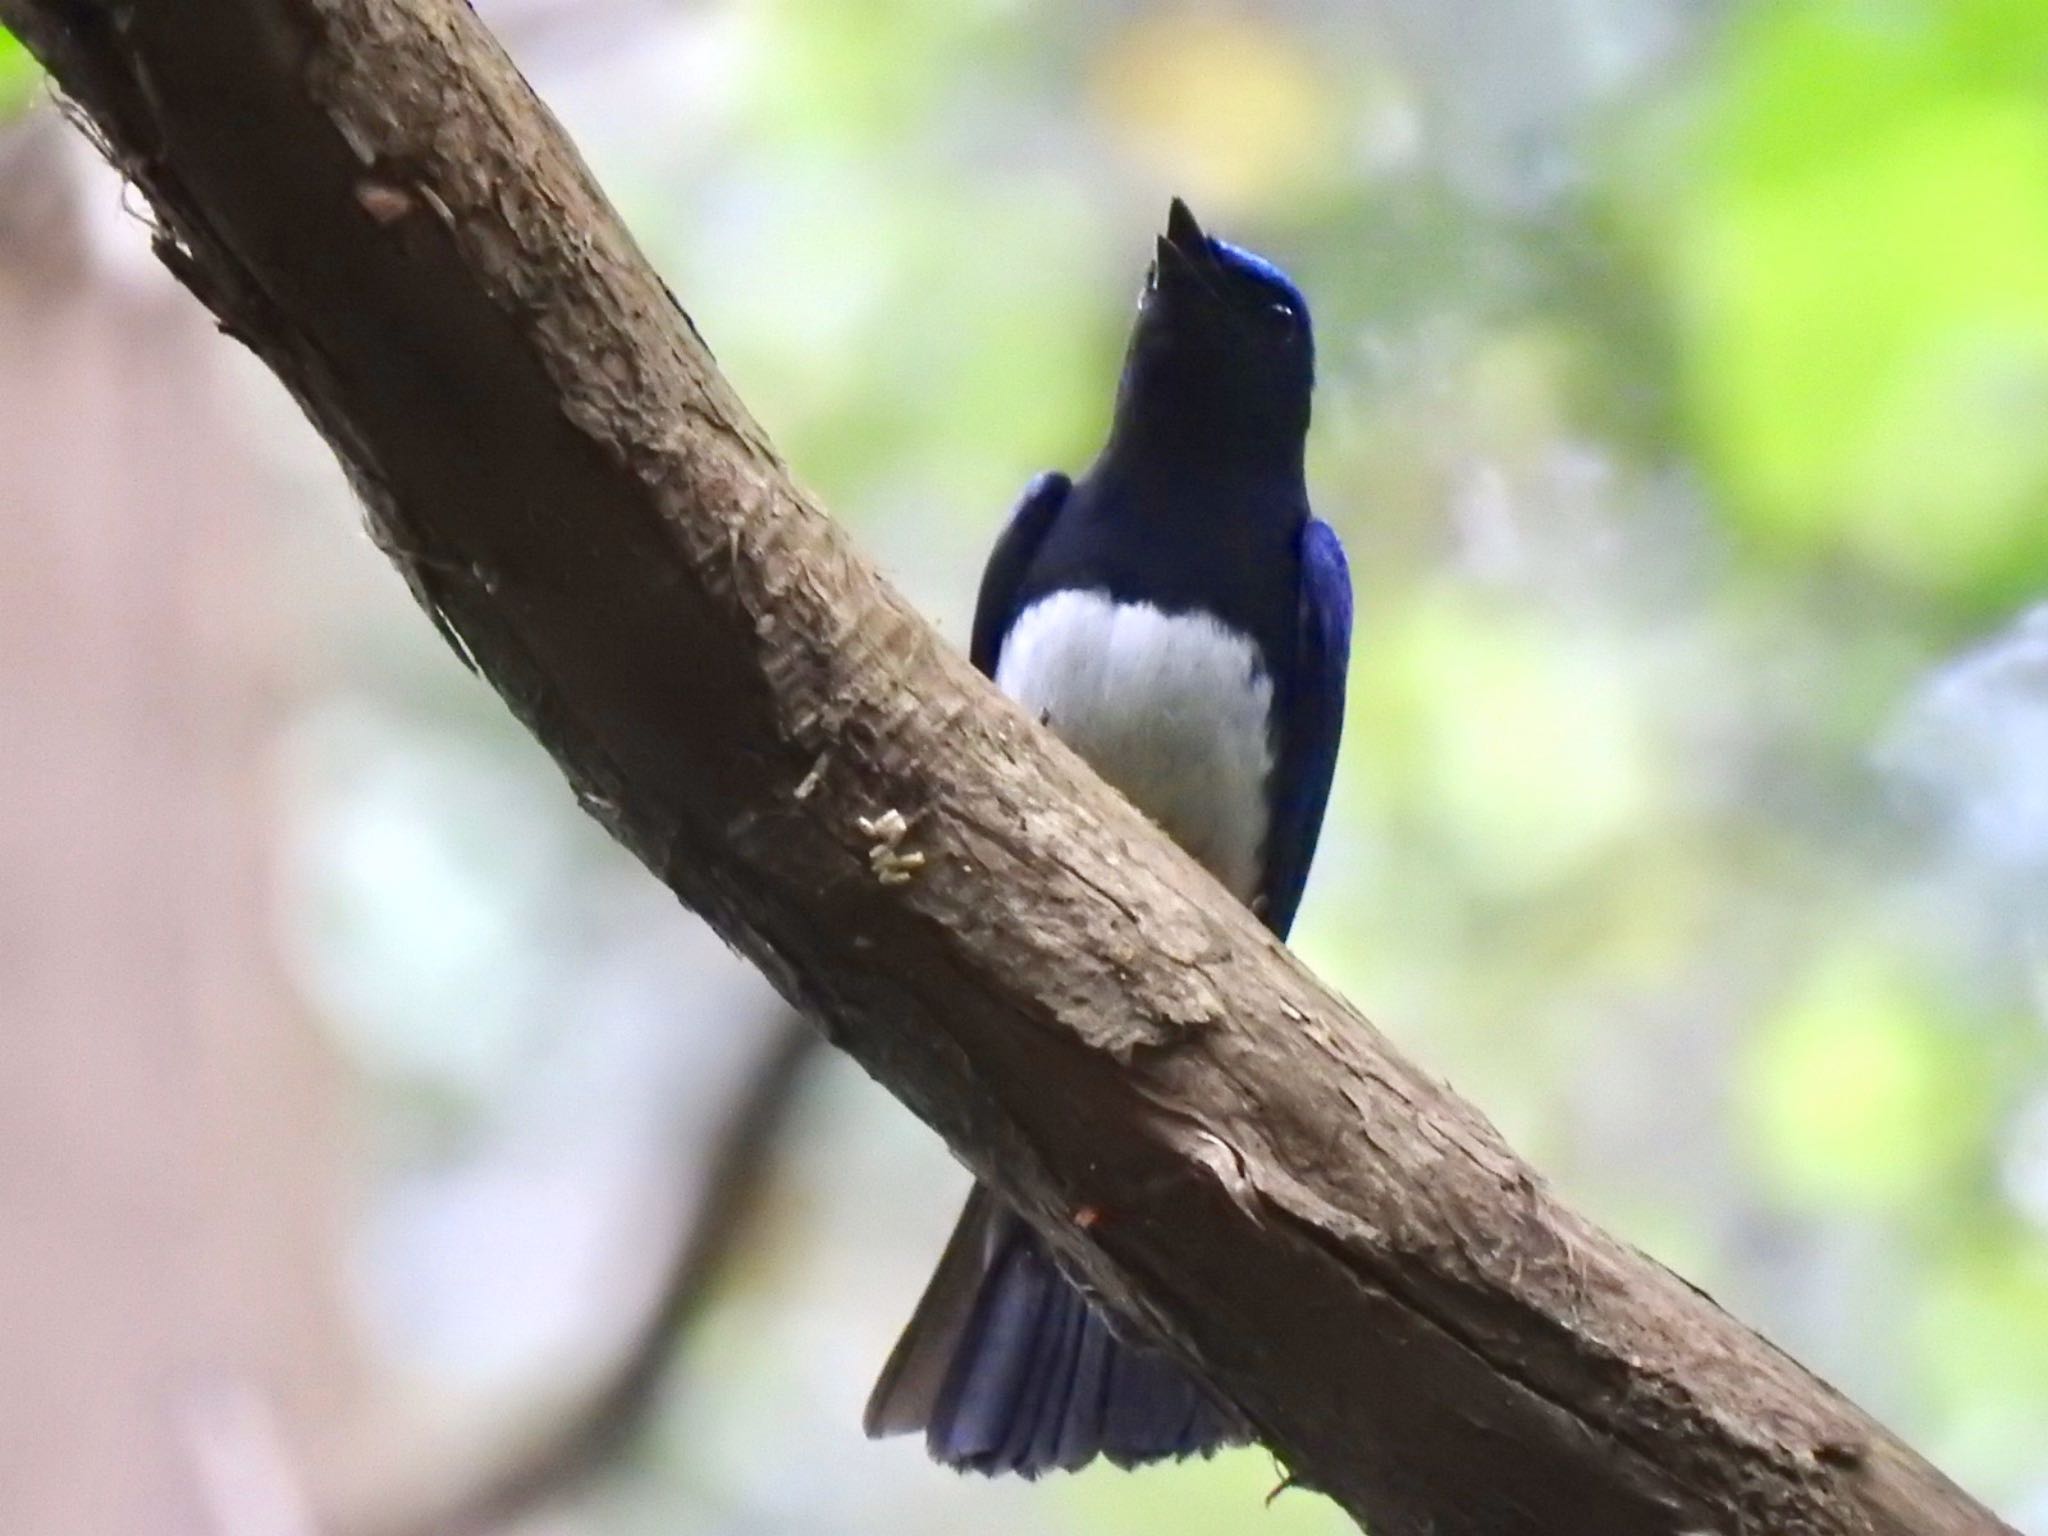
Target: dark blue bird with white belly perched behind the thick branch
x=1183, y=622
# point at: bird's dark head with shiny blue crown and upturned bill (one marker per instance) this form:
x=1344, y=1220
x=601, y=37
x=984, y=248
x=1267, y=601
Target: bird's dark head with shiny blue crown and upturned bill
x=1222, y=355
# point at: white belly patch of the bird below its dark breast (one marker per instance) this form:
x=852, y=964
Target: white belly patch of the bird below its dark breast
x=1168, y=708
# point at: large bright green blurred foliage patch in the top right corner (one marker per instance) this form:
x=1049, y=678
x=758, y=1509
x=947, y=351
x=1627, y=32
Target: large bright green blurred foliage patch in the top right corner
x=1863, y=269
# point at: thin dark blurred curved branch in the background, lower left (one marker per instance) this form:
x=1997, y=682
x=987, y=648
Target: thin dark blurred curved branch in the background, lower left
x=589, y=1435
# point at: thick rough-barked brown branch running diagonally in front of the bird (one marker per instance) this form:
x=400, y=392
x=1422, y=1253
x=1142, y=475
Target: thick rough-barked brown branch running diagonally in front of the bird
x=368, y=194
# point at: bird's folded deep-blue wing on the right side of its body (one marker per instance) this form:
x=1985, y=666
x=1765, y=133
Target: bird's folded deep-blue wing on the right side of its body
x=1312, y=720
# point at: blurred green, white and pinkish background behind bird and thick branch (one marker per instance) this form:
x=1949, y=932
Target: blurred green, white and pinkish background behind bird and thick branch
x=1684, y=404
